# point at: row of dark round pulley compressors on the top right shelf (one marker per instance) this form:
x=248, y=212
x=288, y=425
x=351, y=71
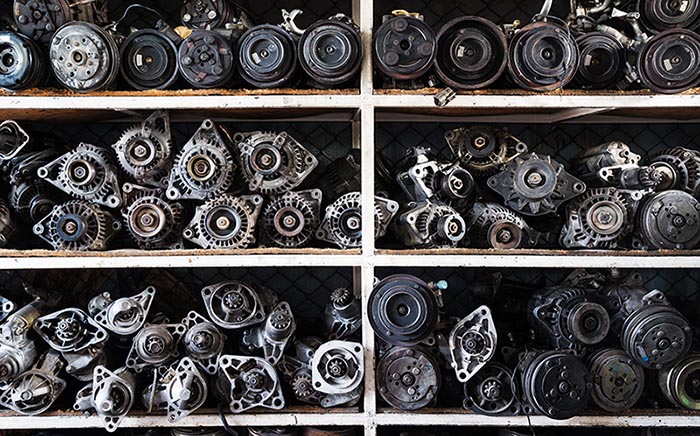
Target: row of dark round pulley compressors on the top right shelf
x=600, y=45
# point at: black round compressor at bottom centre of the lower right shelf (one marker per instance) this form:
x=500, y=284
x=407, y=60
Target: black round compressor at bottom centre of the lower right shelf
x=553, y=383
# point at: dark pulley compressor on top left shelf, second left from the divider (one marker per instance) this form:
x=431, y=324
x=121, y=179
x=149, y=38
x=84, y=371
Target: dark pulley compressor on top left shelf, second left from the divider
x=267, y=56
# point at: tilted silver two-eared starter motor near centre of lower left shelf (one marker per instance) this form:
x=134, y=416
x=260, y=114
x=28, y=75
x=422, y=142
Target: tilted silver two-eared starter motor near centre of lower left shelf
x=155, y=345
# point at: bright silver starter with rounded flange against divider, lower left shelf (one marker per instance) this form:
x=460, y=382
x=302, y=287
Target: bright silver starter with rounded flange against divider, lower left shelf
x=338, y=368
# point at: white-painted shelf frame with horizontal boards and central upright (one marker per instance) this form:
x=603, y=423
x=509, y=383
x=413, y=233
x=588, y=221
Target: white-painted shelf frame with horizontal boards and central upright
x=363, y=107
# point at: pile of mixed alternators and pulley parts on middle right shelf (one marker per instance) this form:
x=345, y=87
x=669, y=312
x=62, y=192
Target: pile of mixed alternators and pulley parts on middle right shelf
x=494, y=193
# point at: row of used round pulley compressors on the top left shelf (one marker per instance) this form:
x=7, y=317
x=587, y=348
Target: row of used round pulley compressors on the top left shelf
x=216, y=46
